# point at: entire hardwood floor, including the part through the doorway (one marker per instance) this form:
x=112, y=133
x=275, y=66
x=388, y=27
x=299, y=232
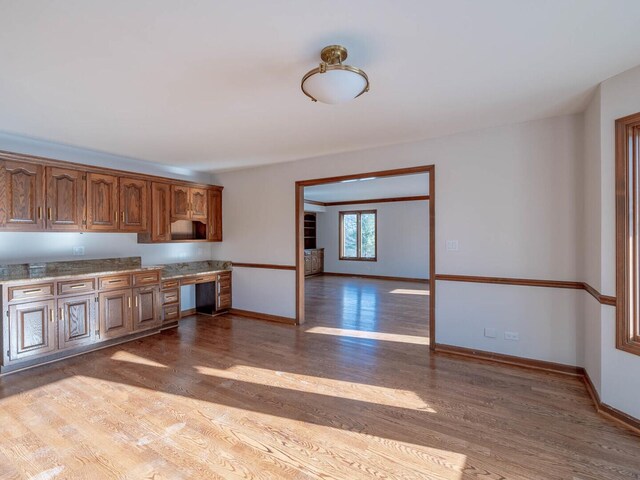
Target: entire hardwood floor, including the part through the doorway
x=354, y=393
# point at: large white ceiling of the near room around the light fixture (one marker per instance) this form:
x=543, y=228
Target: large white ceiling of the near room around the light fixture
x=215, y=85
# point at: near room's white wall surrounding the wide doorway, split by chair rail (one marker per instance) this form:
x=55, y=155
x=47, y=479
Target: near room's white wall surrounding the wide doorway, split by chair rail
x=510, y=195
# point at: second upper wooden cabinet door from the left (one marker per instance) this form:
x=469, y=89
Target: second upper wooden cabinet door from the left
x=65, y=199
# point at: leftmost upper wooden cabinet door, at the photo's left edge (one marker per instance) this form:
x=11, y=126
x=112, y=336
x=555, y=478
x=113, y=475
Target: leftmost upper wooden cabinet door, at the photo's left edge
x=21, y=196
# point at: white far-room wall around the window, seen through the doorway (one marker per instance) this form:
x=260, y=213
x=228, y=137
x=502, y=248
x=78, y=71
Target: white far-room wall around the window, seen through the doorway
x=403, y=240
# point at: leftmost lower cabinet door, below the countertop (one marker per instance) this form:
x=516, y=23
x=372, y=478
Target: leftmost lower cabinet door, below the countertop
x=32, y=329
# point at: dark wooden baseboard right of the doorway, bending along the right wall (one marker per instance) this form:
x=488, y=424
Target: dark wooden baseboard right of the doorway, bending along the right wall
x=558, y=368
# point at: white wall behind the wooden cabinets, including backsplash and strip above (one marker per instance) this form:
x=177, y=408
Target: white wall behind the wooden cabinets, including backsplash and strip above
x=19, y=247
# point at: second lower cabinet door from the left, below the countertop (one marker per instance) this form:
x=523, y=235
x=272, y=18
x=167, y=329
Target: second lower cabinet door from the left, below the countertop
x=76, y=321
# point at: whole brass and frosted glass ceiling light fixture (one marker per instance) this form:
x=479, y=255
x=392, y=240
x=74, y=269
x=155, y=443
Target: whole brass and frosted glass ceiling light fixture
x=332, y=82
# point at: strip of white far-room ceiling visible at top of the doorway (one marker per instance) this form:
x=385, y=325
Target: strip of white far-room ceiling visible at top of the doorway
x=384, y=187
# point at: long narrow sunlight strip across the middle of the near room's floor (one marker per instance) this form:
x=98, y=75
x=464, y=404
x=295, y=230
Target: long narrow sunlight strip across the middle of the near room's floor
x=321, y=386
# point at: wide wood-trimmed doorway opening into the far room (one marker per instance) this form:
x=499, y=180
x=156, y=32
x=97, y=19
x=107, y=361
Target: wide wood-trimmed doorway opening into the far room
x=345, y=258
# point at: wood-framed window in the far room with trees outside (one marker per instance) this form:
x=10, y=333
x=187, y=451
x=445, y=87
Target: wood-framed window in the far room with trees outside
x=358, y=235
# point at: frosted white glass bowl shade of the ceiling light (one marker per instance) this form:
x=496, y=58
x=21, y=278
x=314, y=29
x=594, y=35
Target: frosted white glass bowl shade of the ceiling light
x=337, y=85
